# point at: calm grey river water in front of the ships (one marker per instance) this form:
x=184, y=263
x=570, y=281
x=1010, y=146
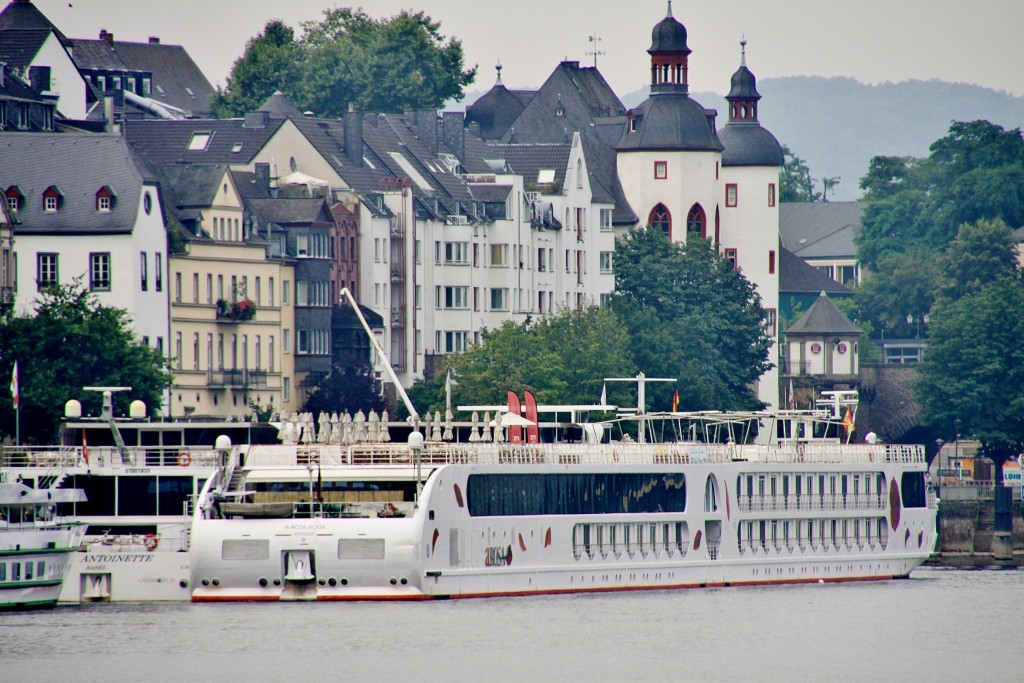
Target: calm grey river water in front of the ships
x=942, y=625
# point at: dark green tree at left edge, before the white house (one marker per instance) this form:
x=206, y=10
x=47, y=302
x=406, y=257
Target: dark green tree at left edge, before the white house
x=73, y=341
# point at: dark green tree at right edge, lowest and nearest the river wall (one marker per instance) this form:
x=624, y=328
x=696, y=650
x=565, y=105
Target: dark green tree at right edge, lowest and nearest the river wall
x=974, y=369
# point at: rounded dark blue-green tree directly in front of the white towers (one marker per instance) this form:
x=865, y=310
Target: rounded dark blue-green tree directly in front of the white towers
x=694, y=317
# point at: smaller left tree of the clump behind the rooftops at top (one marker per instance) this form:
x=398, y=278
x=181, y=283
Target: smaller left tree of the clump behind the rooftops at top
x=272, y=62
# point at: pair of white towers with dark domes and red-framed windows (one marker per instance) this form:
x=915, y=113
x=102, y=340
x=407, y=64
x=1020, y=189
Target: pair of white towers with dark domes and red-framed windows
x=687, y=179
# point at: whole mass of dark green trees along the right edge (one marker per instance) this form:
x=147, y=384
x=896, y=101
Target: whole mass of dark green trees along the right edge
x=937, y=241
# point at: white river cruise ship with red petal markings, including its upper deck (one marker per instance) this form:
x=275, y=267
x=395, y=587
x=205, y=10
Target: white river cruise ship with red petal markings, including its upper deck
x=692, y=501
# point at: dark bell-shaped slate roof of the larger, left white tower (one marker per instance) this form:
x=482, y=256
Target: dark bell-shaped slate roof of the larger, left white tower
x=671, y=121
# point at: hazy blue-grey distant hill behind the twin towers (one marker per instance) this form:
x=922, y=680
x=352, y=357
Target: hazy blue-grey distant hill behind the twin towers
x=838, y=124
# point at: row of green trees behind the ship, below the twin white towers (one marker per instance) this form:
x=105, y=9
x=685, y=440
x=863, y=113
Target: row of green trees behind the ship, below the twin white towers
x=678, y=311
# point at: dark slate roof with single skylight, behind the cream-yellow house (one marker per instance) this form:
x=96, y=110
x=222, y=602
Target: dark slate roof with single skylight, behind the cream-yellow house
x=167, y=142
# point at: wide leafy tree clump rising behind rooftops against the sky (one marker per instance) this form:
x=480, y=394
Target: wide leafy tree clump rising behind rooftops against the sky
x=350, y=60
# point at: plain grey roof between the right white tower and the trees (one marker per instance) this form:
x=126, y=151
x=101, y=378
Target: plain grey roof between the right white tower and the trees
x=819, y=230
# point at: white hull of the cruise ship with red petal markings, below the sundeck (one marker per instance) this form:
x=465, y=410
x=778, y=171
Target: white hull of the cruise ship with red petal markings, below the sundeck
x=732, y=531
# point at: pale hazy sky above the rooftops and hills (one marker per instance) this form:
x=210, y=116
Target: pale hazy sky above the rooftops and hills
x=874, y=41
